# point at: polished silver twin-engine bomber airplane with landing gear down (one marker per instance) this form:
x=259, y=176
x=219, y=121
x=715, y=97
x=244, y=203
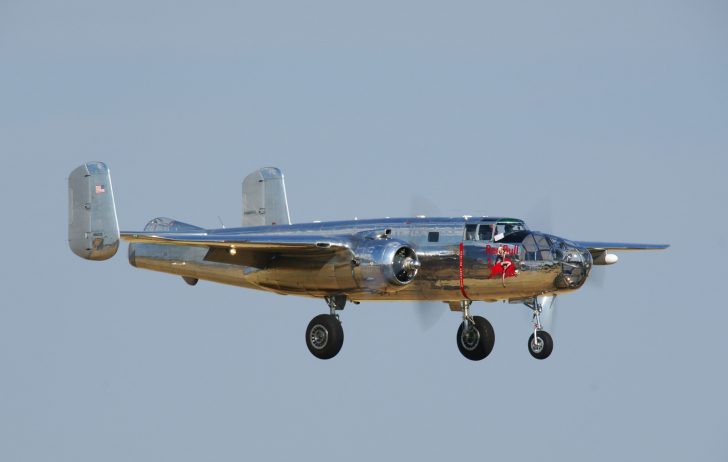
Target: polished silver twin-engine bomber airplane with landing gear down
x=453, y=260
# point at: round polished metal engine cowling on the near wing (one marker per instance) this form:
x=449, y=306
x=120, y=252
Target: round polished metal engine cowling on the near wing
x=384, y=265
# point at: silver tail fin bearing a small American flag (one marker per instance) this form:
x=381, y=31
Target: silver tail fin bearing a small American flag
x=93, y=230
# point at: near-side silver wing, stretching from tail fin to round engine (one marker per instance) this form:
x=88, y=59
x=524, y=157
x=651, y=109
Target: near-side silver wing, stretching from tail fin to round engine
x=255, y=250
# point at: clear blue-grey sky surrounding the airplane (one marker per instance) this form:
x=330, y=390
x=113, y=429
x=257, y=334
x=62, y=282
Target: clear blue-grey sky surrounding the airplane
x=612, y=115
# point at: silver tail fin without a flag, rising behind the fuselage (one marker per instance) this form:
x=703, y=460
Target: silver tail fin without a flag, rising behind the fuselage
x=264, y=198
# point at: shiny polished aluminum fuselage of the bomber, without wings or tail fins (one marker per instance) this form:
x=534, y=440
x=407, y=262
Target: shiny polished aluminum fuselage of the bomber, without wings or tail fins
x=452, y=268
